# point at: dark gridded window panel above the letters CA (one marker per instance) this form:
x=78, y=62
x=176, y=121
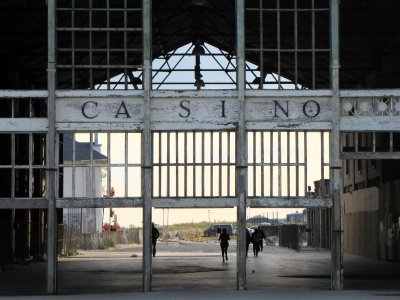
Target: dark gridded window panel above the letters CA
x=99, y=44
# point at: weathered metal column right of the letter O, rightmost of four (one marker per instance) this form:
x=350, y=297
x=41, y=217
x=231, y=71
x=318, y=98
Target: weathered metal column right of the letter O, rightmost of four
x=336, y=163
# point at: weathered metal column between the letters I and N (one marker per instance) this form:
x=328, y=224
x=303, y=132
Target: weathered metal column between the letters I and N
x=241, y=150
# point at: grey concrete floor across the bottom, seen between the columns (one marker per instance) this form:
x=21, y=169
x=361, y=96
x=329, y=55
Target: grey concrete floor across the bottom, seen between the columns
x=197, y=266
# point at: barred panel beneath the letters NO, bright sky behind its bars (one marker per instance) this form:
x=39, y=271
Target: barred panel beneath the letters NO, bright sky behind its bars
x=287, y=164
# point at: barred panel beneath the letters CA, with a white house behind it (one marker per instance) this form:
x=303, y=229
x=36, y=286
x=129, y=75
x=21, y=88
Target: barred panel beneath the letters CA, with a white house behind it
x=100, y=165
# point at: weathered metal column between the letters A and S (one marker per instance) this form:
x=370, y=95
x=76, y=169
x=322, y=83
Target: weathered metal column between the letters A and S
x=146, y=148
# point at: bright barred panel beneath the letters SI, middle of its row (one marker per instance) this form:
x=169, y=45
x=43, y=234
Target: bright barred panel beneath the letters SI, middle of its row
x=194, y=164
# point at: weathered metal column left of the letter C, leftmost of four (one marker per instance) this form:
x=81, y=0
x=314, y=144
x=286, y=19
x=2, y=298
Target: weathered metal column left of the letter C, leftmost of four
x=51, y=151
